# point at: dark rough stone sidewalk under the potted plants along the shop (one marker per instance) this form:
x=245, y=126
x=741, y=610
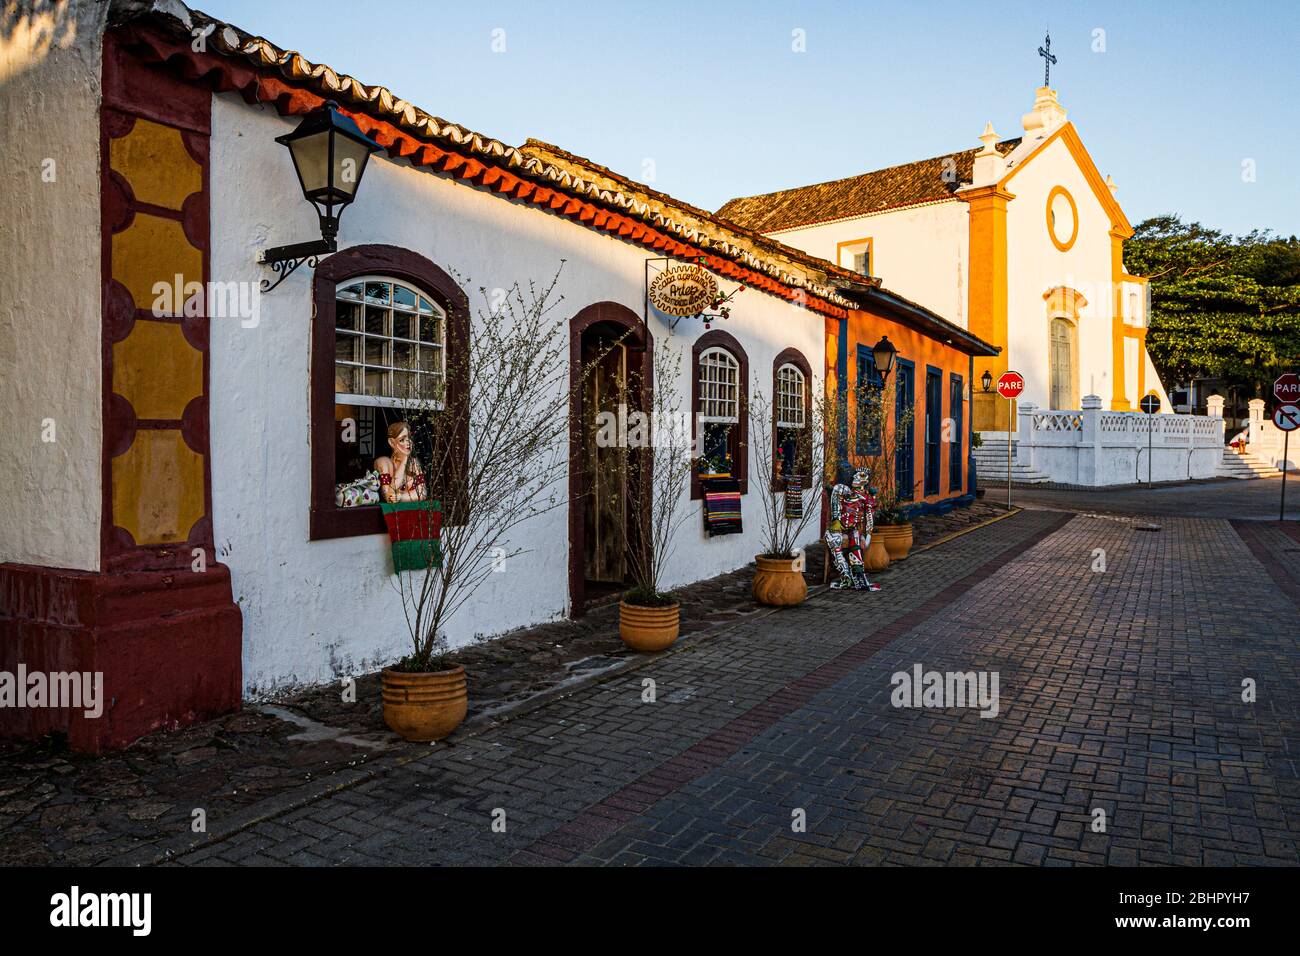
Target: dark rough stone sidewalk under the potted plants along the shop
x=57, y=807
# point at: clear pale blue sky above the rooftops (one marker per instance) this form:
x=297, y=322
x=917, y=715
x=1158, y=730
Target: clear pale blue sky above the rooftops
x=714, y=96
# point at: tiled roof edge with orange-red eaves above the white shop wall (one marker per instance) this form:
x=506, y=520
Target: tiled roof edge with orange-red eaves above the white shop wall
x=538, y=174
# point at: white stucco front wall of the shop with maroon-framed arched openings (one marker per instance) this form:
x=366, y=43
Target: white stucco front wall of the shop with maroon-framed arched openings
x=315, y=611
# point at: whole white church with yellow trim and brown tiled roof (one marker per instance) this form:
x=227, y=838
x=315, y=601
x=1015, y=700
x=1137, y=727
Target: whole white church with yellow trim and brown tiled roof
x=1020, y=241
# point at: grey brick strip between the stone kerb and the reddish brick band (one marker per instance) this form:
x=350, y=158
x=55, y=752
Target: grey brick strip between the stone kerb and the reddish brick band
x=545, y=768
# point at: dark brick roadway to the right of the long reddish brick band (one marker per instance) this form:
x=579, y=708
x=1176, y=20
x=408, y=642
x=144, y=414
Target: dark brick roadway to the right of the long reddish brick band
x=1121, y=691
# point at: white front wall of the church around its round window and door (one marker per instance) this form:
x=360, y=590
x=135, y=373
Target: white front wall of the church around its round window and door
x=1035, y=266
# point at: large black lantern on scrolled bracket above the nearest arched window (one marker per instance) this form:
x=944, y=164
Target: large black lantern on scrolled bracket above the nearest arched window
x=330, y=154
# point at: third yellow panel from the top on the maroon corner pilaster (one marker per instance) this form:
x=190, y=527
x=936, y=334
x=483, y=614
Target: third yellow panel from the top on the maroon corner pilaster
x=157, y=370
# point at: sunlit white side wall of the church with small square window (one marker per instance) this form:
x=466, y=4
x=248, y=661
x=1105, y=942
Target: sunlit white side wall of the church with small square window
x=921, y=253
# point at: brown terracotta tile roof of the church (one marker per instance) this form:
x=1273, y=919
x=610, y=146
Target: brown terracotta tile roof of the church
x=895, y=188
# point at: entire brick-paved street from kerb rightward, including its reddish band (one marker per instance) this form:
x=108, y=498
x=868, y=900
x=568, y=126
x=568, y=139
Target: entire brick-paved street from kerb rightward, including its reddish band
x=1120, y=691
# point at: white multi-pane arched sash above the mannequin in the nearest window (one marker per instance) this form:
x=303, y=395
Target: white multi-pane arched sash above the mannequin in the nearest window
x=424, y=308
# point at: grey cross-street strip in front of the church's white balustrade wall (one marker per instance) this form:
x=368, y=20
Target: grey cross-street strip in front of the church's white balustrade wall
x=1234, y=499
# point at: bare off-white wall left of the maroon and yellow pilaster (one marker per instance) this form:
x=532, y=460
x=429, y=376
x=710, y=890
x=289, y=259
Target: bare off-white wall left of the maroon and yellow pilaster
x=50, y=271
